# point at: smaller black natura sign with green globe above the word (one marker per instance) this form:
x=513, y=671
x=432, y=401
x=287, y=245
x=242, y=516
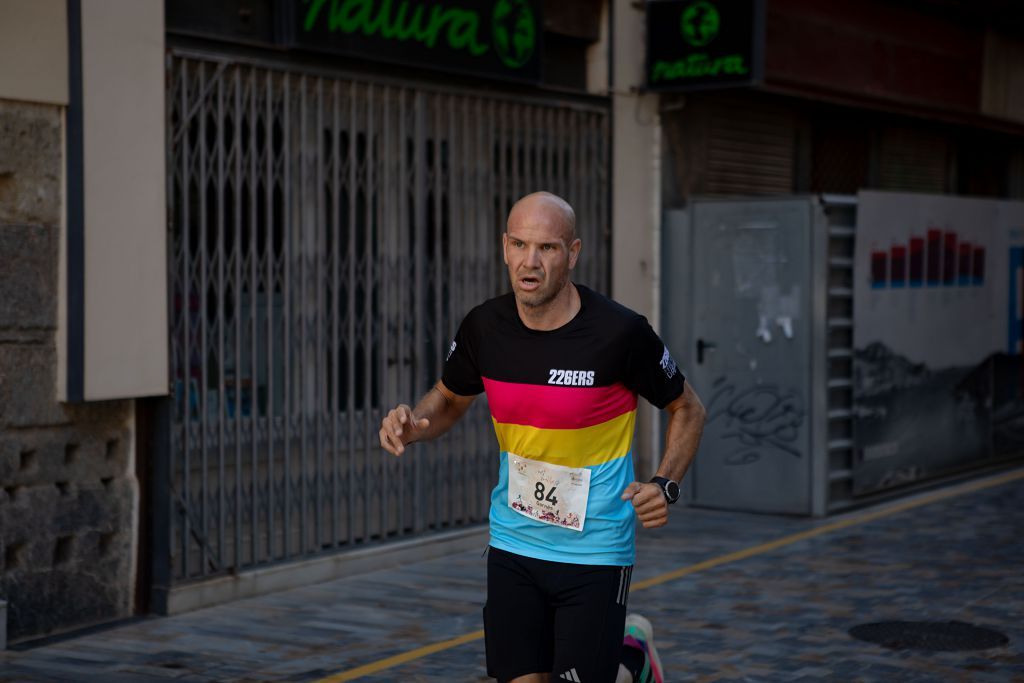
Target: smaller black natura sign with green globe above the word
x=694, y=45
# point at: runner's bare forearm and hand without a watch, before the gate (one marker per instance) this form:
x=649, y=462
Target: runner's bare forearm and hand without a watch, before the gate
x=434, y=416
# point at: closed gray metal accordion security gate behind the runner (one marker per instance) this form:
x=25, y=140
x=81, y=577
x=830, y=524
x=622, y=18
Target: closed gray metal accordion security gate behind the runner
x=327, y=234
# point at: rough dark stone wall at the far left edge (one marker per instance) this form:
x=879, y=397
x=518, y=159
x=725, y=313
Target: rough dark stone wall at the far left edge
x=68, y=492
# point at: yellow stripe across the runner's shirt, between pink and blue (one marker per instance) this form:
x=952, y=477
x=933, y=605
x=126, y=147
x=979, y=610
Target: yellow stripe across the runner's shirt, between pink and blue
x=570, y=448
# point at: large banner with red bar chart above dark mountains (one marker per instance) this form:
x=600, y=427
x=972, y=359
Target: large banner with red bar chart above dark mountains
x=938, y=329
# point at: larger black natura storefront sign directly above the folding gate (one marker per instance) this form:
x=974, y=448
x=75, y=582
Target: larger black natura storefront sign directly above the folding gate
x=494, y=38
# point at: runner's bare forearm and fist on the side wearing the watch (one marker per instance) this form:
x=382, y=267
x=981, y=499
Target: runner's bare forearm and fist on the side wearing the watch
x=687, y=419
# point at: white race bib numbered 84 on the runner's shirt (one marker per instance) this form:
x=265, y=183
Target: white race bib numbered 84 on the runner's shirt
x=549, y=494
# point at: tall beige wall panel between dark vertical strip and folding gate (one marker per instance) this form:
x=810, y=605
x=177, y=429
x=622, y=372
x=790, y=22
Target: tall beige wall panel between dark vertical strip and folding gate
x=125, y=339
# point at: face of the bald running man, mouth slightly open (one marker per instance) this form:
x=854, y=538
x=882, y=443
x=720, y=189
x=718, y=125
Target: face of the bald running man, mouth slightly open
x=539, y=255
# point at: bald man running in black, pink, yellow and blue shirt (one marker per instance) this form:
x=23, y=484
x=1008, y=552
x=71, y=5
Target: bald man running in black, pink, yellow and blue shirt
x=563, y=367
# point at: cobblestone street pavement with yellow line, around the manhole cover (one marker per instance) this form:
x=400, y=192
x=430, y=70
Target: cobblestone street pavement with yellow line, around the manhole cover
x=734, y=597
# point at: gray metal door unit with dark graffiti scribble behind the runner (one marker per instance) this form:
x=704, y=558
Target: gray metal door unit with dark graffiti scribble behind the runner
x=757, y=307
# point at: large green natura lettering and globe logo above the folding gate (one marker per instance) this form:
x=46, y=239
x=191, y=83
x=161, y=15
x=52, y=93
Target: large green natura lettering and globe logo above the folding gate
x=514, y=27
